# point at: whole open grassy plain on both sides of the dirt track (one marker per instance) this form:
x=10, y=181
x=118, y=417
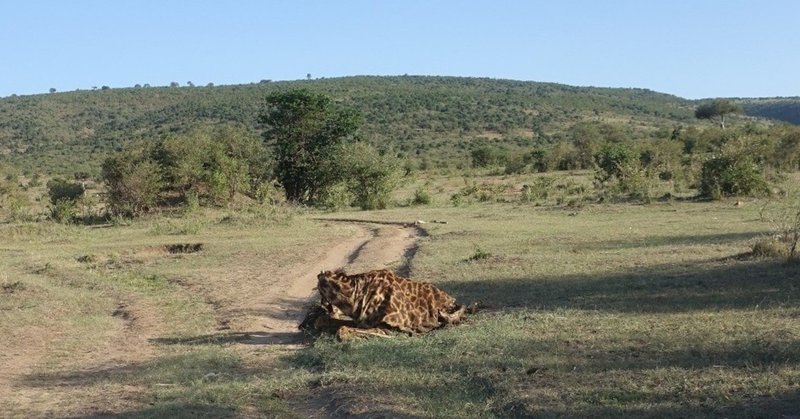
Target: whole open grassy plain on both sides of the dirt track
x=590, y=309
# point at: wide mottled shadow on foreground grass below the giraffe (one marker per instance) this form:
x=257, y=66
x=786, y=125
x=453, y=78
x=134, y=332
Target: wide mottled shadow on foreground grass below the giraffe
x=530, y=376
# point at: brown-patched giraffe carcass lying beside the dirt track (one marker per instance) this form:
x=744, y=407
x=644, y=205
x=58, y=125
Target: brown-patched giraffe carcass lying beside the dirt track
x=377, y=301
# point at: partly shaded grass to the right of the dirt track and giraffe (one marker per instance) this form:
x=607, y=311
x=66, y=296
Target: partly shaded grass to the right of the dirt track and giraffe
x=619, y=310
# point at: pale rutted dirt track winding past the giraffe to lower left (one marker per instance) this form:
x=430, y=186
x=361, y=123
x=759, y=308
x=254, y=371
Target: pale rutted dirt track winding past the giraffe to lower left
x=253, y=304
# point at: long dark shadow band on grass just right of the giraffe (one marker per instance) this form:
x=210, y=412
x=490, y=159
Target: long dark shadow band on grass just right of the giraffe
x=711, y=285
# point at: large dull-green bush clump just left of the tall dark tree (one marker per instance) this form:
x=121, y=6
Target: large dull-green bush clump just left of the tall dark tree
x=205, y=166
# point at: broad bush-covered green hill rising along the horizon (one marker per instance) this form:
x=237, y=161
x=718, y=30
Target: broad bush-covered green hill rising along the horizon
x=435, y=118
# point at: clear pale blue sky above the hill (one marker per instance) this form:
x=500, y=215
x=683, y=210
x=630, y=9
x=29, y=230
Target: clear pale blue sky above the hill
x=690, y=48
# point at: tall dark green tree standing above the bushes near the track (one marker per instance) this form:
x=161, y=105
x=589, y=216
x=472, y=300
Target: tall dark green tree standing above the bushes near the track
x=304, y=129
